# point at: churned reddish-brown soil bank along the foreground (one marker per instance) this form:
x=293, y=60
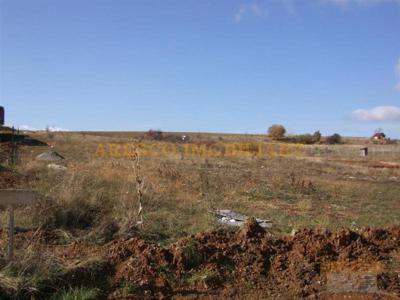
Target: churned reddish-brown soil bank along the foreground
x=248, y=263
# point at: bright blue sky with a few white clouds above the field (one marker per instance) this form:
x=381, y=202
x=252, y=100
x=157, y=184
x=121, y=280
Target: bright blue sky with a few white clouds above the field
x=202, y=65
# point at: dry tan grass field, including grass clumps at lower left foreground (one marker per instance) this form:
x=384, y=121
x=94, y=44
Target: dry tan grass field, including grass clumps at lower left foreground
x=94, y=202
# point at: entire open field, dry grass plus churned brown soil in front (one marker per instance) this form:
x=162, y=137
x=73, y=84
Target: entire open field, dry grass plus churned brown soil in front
x=84, y=231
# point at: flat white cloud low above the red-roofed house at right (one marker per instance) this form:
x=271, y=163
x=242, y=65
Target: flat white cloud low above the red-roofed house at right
x=379, y=113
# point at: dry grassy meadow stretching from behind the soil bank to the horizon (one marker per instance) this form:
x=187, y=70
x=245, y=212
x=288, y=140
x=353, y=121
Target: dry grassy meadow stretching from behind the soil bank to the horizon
x=298, y=186
